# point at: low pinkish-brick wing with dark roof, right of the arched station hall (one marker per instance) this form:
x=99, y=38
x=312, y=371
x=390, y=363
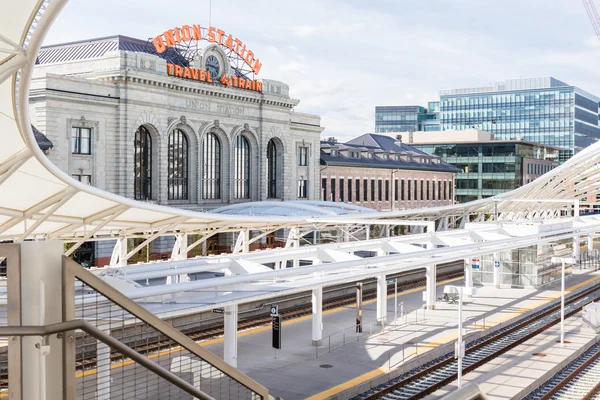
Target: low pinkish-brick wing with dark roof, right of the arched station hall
x=382, y=173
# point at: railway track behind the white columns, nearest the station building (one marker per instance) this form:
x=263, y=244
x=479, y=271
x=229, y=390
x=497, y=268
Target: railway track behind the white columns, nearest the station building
x=86, y=353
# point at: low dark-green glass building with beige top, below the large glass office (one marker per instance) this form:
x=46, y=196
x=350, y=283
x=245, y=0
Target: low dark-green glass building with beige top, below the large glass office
x=487, y=167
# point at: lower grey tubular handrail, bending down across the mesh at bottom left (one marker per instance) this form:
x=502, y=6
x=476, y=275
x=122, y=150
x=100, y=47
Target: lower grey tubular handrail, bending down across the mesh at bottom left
x=109, y=341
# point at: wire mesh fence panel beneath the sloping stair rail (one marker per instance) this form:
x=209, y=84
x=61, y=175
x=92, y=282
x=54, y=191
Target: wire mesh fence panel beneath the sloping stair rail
x=102, y=373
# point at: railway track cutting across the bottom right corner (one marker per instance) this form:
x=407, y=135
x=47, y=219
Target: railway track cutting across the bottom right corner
x=580, y=379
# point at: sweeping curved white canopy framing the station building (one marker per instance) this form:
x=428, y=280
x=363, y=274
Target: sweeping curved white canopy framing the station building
x=37, y=200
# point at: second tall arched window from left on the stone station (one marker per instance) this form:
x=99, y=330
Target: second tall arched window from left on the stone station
x=177, y=182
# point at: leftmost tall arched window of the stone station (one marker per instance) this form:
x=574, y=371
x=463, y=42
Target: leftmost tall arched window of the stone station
x=143, y=164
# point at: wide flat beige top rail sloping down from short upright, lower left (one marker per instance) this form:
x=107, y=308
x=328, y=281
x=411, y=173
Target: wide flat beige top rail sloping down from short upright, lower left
x=72, y=270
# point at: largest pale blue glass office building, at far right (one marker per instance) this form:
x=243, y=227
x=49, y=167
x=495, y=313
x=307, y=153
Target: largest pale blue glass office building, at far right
x=540, y=110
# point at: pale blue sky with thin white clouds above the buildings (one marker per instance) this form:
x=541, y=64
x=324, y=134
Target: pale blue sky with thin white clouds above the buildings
x=343, y=58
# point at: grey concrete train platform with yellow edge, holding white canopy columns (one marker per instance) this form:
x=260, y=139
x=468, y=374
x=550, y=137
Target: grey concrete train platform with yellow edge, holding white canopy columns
x=295, y=372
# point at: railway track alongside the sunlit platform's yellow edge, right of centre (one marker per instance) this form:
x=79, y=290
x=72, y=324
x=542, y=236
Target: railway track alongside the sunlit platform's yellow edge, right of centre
x=438, y=373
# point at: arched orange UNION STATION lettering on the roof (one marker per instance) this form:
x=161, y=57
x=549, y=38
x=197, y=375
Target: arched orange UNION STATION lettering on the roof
x=186, y=33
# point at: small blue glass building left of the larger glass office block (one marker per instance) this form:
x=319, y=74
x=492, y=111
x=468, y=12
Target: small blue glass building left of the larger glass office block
x=406, y=118
